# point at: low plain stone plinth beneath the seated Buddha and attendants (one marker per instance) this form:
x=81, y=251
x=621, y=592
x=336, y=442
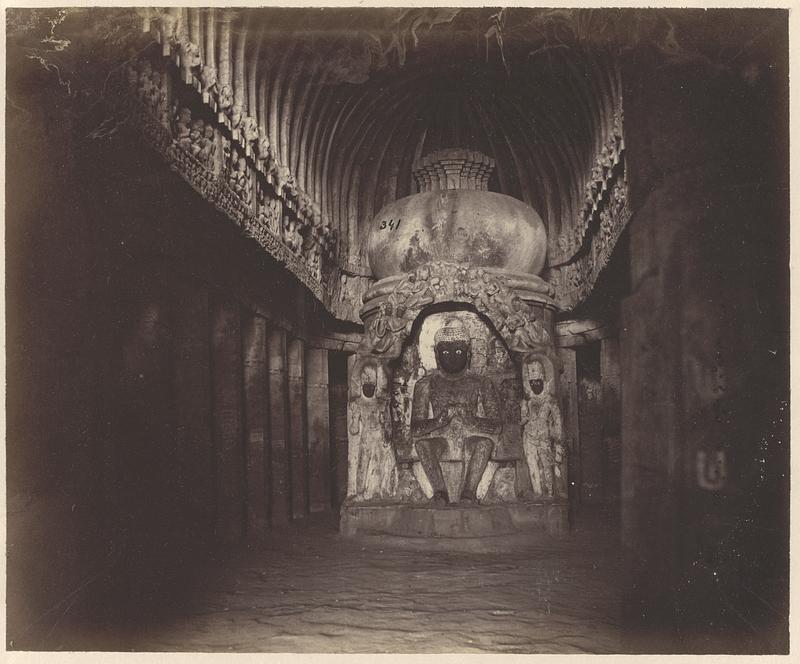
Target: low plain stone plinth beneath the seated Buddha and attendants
x=455, y=521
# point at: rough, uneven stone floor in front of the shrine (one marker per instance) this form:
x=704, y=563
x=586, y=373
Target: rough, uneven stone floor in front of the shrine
x=315, y=591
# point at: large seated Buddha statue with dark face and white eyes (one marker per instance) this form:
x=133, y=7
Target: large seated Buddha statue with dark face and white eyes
x=455, y=431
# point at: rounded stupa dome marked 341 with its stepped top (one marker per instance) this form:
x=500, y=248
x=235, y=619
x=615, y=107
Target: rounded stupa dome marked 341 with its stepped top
x=455, y=218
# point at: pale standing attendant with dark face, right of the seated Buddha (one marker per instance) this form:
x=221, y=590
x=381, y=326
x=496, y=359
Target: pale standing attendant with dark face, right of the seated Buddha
x=542, y=438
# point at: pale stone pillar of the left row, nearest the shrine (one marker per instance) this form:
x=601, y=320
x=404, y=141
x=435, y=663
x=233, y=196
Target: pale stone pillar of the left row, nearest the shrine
x=318, y=426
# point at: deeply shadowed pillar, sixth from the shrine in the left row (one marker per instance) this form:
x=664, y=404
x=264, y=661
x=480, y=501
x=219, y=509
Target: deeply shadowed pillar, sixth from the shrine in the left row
x=192, y=416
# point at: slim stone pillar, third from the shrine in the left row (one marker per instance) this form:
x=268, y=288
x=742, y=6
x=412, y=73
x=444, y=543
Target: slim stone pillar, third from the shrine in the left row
x=278, y=426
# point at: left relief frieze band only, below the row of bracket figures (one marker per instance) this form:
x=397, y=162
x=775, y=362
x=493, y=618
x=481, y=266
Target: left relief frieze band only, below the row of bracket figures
x=219, y=170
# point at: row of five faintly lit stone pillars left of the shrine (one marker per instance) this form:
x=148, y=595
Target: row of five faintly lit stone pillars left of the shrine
x=270, y=394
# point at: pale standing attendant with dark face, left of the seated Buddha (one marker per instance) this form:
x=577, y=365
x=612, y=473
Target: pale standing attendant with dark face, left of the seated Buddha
x=372, y=467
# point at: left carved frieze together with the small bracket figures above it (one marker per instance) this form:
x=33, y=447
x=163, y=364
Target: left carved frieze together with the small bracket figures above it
x=231, y=163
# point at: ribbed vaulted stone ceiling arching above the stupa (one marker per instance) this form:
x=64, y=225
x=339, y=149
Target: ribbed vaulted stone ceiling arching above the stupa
x=351, y=97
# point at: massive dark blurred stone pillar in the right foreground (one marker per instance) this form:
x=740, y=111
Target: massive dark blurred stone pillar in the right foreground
x=700, y=378
